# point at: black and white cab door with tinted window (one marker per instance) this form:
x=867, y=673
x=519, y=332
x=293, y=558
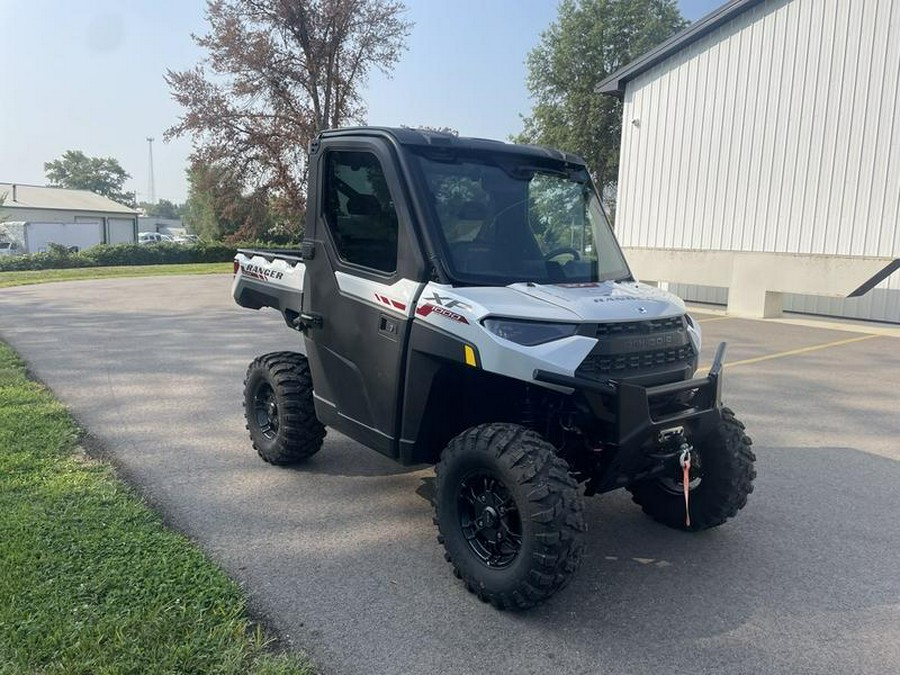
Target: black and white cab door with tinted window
x=363, y=276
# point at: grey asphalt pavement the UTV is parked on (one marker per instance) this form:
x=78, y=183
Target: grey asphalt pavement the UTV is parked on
x=341, y=556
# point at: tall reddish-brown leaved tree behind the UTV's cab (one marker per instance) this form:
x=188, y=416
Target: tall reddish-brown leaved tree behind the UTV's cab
x=276, y=73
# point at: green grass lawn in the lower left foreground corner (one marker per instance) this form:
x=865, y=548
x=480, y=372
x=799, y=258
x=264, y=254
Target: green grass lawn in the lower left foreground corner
x=91, y=581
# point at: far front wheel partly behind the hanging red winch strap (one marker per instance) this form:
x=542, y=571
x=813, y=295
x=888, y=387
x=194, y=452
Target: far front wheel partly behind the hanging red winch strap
x=720, y=480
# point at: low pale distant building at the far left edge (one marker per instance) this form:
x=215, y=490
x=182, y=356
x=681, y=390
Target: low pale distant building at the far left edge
x=69, y=217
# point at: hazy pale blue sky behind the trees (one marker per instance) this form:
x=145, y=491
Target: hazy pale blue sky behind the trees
x=89, y=76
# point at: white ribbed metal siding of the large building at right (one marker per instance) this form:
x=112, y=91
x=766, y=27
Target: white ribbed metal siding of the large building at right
x=779, y=132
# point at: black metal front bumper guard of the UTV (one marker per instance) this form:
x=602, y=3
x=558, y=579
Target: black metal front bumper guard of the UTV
x=640, y=414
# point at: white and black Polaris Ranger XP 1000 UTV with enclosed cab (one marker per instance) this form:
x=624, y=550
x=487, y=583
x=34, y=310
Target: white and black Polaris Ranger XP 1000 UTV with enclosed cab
x=464, y=302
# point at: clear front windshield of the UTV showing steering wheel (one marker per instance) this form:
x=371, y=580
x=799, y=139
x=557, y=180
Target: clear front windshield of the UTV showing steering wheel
x=505, y=219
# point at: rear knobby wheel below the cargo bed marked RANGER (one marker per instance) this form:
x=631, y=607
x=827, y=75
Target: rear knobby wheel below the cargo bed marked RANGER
x=279, y=409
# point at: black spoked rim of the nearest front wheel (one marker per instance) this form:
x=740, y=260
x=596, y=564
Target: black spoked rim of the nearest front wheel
x=489, y=519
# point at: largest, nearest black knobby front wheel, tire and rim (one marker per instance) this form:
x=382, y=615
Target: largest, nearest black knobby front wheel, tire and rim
x=509, y=515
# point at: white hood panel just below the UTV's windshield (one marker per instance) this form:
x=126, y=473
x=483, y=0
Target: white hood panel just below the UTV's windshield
x=608, y=300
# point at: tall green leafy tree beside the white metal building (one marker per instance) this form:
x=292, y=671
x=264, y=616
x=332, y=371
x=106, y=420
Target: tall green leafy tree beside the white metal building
x=590, y=40
